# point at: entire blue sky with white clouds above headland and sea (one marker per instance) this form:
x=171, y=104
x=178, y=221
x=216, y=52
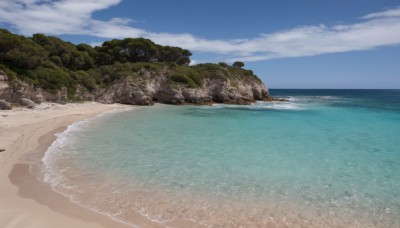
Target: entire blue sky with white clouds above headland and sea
x=287, y=43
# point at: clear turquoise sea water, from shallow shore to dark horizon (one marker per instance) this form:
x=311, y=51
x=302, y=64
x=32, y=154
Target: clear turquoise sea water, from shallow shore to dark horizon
x=327, y=158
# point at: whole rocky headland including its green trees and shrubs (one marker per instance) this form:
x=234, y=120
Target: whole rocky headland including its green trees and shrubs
x=130, y=71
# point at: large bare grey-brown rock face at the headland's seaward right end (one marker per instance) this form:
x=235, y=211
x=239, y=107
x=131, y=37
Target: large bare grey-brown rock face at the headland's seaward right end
x=159, y=89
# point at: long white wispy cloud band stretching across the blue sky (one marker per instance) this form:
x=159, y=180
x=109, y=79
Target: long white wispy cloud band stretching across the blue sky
x=74, y=17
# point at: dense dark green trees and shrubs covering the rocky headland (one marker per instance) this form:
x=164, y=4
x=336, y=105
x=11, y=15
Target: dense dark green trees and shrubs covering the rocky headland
x=51, y=63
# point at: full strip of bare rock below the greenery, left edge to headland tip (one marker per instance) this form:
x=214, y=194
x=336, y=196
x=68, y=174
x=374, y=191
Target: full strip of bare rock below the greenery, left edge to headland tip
x=146, y=89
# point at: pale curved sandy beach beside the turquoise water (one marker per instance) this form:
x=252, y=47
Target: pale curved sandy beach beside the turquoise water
x=26, y=134
